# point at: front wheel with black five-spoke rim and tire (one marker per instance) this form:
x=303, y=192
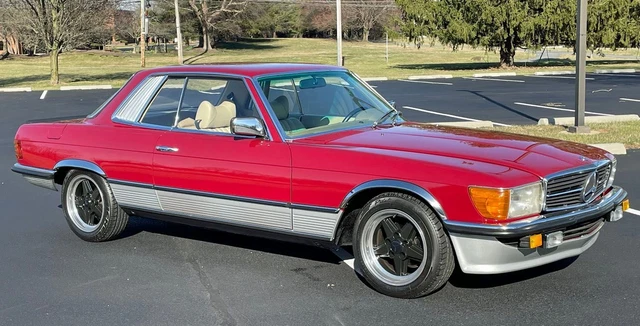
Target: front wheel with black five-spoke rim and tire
x=382, y=257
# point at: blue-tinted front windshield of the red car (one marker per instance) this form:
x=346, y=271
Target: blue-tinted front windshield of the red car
x=318, y=102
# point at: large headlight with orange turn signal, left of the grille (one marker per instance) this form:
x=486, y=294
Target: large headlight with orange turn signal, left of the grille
x=502, y=204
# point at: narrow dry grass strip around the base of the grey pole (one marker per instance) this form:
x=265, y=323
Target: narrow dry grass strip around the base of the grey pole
x=627, y=132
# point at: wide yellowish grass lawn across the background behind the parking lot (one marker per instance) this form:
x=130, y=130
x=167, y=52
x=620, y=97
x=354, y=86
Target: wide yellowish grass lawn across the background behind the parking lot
x=365, y=58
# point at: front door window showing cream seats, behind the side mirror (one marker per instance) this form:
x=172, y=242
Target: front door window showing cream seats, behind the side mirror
x=209, y=104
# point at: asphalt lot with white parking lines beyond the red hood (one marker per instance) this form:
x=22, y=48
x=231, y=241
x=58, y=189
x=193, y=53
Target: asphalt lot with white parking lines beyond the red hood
x=510, y=100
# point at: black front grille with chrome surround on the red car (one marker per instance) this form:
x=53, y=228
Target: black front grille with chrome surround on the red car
x=564, y=190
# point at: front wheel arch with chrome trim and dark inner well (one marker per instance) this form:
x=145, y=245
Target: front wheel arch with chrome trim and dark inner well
x=359, y=196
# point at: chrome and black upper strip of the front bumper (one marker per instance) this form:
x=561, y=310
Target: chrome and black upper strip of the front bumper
x=543, y=223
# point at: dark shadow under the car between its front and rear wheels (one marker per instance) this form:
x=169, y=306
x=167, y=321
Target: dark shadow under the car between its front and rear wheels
x=305, y=249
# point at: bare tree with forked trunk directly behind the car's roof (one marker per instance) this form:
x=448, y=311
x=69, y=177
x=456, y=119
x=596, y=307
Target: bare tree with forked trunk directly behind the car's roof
x=212, y=12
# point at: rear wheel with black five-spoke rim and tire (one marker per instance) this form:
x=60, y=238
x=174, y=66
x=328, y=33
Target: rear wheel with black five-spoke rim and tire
x=95, y=217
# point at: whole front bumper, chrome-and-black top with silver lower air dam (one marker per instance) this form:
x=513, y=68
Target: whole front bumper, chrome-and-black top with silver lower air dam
x=493, y=249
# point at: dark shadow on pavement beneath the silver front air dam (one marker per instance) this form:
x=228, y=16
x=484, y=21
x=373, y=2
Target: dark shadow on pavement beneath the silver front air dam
x=473, y=281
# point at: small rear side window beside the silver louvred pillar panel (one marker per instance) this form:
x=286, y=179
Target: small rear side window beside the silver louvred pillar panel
x=164, y=107
